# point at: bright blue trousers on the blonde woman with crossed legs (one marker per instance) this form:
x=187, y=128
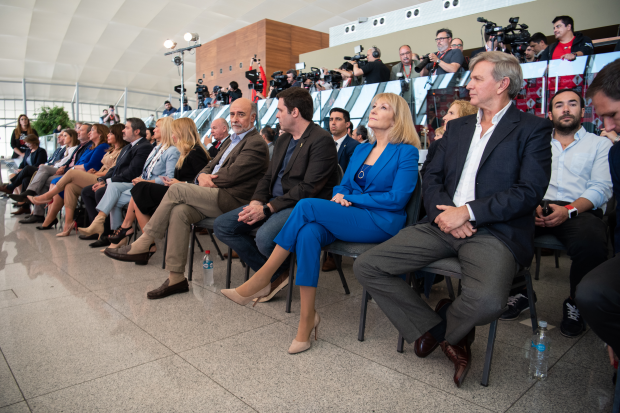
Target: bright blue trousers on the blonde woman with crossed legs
x=315, y=223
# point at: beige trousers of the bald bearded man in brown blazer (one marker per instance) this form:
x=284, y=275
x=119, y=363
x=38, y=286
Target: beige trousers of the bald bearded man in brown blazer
x=183, y=205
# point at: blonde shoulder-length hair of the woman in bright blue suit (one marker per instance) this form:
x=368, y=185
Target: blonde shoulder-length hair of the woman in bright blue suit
x=403, y=130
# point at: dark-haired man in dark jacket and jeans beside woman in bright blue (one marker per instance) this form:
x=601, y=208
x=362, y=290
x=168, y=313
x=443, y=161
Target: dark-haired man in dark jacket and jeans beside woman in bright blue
x=303, y=166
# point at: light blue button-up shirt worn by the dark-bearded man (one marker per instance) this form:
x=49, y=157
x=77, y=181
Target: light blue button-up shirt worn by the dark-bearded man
x=581, y=170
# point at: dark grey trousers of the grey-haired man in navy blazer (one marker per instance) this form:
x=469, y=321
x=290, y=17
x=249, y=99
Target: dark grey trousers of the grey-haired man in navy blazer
x=487, y=266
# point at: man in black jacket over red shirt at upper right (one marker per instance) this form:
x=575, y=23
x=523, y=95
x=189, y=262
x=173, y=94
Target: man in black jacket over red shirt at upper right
x=570, y=44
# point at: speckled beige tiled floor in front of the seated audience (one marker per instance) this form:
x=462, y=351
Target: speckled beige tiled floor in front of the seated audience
x=77, y=334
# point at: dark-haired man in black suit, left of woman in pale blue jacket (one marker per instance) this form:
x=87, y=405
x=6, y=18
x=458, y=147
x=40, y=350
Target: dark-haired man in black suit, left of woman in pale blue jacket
x=128, y=166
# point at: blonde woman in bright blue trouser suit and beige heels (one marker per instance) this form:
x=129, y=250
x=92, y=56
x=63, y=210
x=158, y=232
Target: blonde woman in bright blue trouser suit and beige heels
x=368, y=206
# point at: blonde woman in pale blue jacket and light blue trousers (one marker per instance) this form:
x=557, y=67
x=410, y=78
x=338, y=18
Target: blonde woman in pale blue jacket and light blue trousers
x=160, y=163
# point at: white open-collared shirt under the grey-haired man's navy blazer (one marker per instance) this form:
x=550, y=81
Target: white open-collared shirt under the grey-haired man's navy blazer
x=466, y=189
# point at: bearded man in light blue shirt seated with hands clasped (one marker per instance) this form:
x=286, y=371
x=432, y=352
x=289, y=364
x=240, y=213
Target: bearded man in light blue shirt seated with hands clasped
x=578, y=192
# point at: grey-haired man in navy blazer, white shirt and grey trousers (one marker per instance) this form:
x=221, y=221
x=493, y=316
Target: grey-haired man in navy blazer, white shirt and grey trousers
x=488, y=175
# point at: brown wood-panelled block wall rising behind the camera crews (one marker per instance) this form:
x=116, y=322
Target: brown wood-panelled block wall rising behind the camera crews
x=277, y=44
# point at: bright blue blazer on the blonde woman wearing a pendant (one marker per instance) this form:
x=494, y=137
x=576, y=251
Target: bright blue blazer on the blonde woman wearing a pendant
x=389, y=184
